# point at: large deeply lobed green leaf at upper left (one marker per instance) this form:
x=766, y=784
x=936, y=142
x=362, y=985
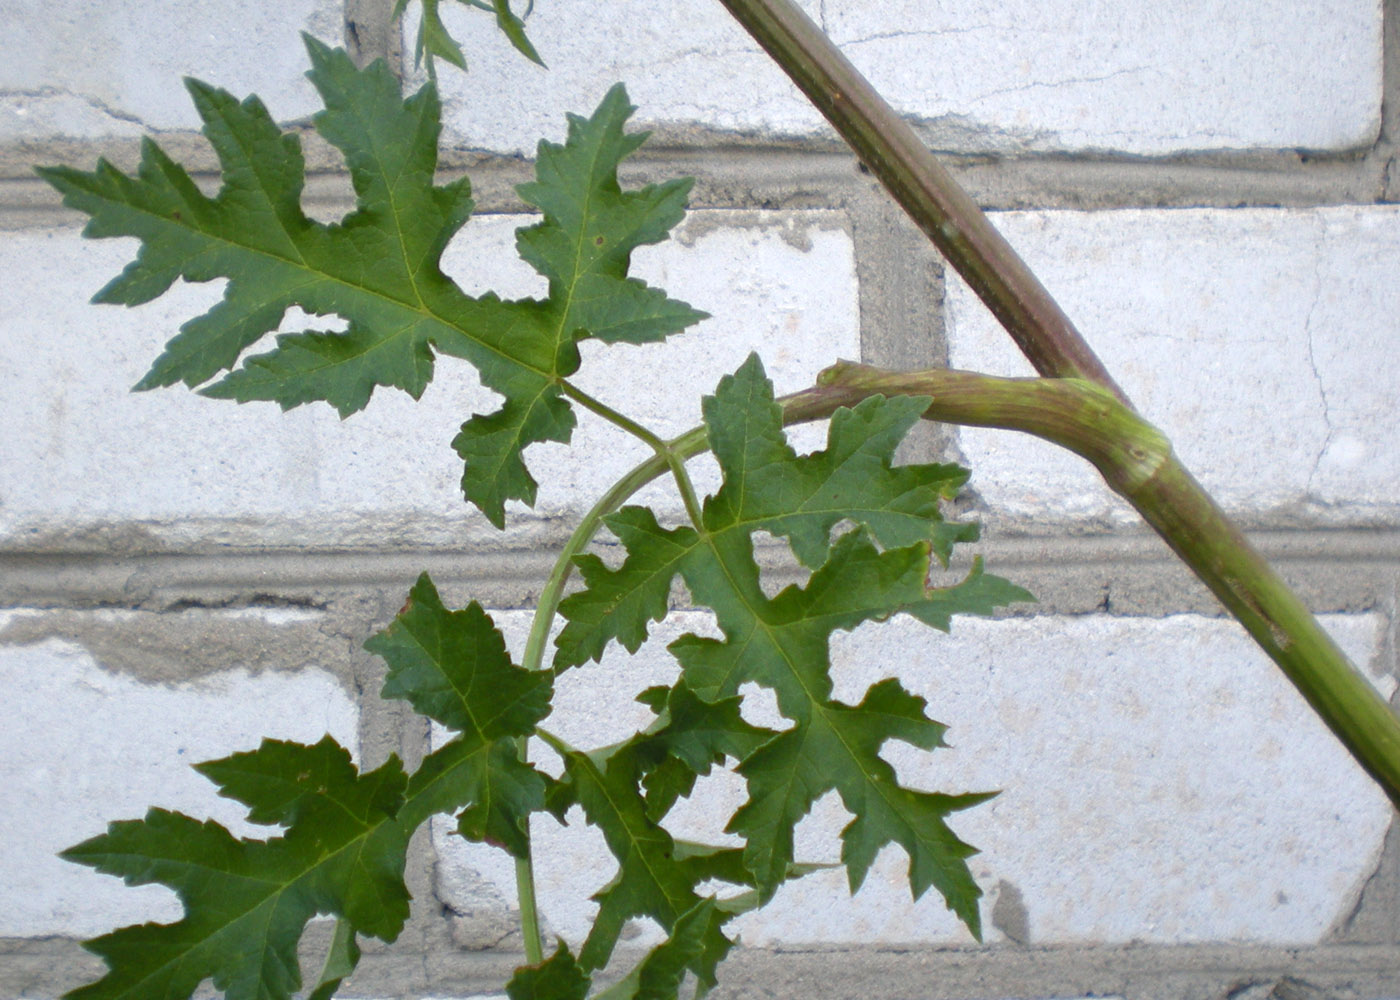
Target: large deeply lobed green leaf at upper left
x=379, y=270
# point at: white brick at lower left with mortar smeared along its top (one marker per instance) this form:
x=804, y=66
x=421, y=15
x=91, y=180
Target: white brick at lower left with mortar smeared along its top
x=85, y=747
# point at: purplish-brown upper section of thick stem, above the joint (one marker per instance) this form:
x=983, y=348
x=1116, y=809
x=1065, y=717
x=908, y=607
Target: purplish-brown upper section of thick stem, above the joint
x=925, y=190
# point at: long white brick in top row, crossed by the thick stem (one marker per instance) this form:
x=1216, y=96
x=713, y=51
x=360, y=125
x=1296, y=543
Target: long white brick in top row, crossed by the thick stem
x=1130, y=76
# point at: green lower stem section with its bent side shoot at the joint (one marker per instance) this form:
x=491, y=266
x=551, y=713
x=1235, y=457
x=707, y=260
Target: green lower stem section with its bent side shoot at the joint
x=1137, y=463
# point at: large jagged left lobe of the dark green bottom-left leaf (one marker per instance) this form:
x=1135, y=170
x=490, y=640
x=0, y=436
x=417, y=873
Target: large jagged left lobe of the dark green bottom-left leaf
x=247, y=903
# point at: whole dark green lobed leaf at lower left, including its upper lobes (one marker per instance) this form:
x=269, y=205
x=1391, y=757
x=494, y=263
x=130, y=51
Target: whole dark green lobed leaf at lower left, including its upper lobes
x=247, y=903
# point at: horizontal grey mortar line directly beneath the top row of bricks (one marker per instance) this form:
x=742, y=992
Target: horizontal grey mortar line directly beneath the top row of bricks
x=808, y=179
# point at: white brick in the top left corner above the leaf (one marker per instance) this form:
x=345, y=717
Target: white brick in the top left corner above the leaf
x=85, y=71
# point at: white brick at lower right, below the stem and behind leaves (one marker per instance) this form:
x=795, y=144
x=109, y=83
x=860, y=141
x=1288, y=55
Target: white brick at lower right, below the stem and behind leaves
x=1161, y=782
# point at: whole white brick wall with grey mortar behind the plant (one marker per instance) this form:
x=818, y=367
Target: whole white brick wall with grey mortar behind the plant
x=1205, y=187
